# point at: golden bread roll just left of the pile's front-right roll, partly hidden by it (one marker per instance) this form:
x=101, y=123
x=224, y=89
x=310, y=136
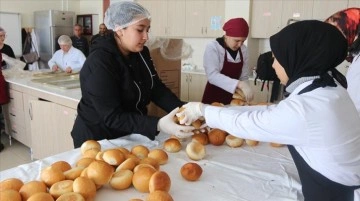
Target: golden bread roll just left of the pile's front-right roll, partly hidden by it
x=141, y=179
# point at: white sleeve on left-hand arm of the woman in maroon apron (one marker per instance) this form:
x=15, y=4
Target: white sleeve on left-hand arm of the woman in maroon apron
x=213, y=65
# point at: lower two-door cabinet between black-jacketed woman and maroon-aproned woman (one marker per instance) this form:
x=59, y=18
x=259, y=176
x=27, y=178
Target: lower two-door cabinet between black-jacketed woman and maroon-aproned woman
x=192, y=86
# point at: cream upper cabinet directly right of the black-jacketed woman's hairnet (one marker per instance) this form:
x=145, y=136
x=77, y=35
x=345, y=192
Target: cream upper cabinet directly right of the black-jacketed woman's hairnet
x=167, y=17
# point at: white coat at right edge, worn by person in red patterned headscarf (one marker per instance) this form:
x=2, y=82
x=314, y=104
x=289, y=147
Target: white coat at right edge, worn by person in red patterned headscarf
x=353, y=80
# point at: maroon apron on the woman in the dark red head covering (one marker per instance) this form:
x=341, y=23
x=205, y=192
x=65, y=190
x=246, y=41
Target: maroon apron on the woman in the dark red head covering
x=213, y=93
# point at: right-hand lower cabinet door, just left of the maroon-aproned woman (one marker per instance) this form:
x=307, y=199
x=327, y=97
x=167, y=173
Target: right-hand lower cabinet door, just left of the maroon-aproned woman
x=197, y=83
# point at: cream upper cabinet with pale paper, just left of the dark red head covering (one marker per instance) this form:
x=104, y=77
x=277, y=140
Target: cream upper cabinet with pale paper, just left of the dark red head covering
x=204, y=18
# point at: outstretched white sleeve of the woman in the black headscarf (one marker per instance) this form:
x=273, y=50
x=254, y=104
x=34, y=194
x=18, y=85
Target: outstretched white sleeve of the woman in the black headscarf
x=276, y=123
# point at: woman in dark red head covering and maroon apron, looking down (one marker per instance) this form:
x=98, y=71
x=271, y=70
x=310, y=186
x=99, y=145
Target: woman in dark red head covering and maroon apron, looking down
x=226, y=64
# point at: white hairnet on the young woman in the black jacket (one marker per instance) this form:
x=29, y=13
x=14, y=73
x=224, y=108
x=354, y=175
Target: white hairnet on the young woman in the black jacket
x=122, y=14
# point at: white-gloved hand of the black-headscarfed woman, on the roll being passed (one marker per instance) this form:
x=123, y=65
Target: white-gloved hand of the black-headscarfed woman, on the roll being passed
x=191, y=112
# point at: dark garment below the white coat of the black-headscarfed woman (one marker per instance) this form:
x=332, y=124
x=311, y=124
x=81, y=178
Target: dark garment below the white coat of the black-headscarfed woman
x=316, y=187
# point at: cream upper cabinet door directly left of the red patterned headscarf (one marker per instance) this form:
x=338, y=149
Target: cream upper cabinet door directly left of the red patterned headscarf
x=322, y=9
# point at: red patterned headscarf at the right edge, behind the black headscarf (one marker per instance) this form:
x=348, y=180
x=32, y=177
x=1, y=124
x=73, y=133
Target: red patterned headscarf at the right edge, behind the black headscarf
x=347, y=21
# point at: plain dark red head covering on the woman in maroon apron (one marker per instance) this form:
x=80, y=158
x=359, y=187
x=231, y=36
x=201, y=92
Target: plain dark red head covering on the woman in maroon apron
x=236, y=27
